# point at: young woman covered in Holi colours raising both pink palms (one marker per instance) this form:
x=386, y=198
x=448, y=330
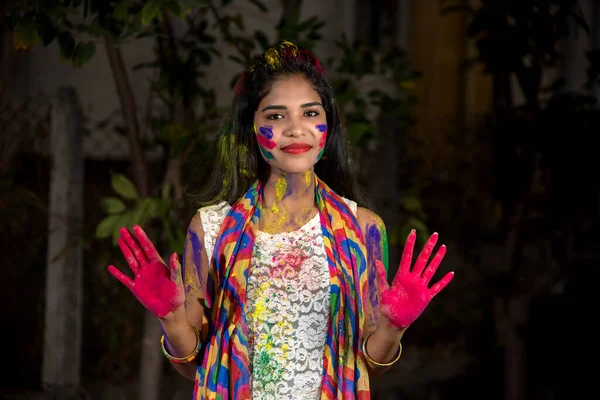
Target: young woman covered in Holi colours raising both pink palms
x=284, y=290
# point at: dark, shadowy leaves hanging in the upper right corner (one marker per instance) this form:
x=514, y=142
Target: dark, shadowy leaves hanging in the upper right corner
x=520, y=37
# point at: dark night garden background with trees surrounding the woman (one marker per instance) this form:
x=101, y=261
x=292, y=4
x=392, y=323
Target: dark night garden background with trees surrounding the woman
x=474, y=119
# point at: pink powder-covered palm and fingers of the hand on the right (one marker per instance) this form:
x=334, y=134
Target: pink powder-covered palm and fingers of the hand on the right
x=403, y=302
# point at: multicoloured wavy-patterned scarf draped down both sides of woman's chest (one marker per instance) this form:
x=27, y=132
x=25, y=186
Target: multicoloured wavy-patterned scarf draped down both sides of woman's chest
x=225, y=373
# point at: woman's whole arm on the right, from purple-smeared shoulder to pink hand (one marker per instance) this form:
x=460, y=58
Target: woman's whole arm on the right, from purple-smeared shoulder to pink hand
x=395, y=307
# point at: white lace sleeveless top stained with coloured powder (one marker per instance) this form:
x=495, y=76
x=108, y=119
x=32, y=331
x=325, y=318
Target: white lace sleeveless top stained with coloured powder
x=287, y=307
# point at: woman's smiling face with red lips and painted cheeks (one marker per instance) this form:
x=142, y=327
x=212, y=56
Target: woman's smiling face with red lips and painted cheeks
x=291, y=126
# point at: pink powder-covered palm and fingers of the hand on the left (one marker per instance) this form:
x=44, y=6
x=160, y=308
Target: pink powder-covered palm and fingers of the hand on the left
x=158, y=287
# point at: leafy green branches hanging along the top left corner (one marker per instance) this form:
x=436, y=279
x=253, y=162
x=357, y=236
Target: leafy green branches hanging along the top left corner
x=78, y=25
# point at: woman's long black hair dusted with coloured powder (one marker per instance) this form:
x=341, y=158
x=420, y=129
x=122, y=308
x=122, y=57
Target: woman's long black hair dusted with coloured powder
x=235, y=161
